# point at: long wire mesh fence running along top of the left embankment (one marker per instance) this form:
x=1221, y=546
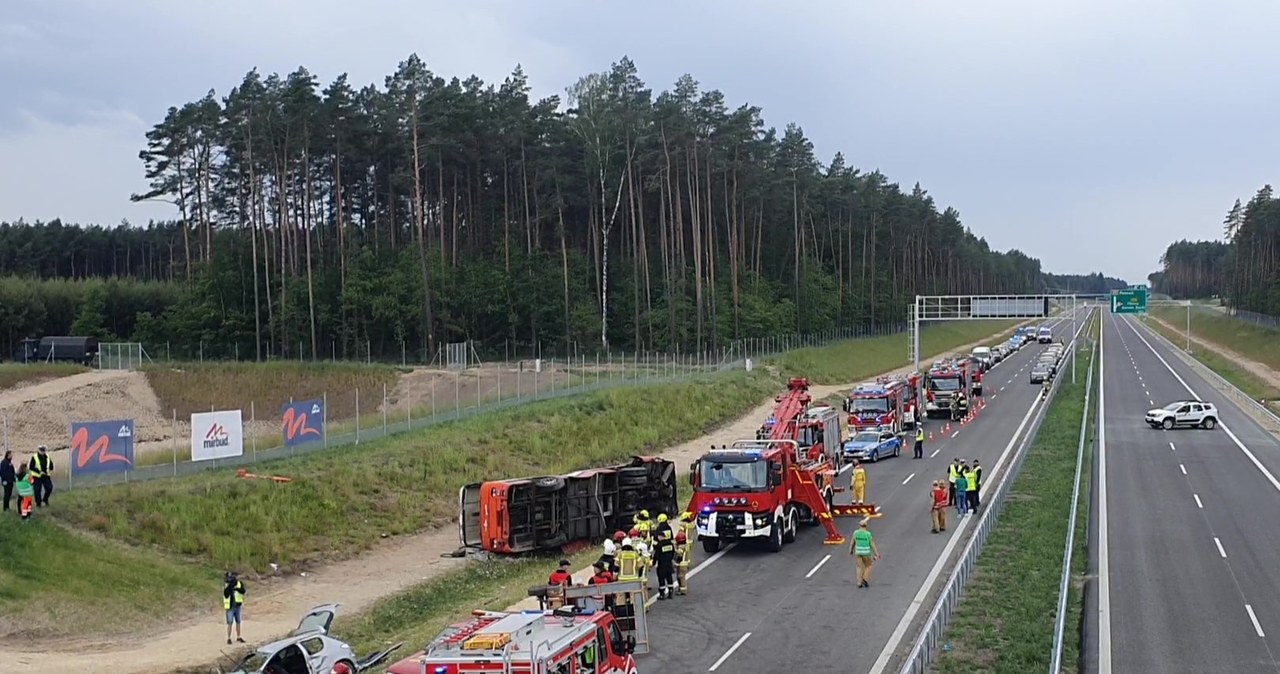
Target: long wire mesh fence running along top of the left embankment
x=162, y=446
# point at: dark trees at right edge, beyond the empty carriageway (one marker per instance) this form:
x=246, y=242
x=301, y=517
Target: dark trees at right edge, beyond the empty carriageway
x=1245, y=268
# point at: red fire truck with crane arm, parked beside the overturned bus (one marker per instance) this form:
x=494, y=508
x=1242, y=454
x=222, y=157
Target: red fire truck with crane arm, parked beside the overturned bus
x=765, y=489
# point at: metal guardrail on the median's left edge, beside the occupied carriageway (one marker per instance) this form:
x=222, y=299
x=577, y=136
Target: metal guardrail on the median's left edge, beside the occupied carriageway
x=935, y=627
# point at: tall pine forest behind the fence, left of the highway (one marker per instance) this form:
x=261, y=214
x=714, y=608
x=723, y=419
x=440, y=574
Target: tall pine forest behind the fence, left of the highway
x=437, y=210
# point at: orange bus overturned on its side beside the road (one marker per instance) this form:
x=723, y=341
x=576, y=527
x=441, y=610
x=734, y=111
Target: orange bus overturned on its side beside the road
x=564, y=512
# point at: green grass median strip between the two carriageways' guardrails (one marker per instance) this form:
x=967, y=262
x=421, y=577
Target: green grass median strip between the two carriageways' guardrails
x=1005, y=621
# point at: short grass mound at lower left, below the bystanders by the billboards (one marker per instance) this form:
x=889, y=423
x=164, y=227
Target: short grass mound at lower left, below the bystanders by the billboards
x=56, y=583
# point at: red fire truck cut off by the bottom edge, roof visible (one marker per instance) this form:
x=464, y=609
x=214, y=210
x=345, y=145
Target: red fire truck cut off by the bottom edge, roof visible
x=575, y=639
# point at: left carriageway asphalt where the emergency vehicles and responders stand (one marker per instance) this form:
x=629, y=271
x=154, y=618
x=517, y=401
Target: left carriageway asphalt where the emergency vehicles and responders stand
x=755, y=612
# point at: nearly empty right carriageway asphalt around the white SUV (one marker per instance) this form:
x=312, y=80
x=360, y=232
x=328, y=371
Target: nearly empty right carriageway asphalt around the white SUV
x=1185, y=537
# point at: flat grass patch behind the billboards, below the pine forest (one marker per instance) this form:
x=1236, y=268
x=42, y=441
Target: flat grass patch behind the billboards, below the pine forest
x=193, y=388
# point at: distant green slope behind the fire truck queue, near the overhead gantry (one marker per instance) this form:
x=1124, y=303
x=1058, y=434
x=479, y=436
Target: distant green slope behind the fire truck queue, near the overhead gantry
x=856, y=360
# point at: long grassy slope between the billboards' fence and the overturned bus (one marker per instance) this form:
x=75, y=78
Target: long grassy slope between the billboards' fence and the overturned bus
x=342, y=502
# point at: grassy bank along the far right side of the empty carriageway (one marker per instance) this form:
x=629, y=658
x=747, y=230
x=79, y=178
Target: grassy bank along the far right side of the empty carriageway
x=1250, y=341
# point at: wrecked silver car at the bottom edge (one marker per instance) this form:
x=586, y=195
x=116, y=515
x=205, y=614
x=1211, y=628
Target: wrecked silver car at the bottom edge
x=310, y=650
